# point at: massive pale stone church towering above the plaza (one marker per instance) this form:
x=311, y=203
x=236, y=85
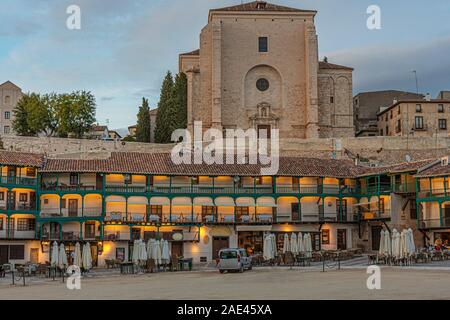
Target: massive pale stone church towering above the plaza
x=258, y=67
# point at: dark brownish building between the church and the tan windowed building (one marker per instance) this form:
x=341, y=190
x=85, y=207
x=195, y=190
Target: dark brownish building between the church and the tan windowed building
x=366, y=105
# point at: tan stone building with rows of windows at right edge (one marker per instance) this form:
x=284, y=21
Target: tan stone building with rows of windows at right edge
x=419, y=118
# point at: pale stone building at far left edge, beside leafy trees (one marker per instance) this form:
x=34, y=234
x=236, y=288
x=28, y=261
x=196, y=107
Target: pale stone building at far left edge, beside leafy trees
x=10, y=94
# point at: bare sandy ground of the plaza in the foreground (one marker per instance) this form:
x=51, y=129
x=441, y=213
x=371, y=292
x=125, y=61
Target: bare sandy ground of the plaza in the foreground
x=263, y=283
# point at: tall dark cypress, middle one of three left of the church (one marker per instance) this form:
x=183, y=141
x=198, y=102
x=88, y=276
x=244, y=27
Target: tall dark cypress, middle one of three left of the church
x=165, y=118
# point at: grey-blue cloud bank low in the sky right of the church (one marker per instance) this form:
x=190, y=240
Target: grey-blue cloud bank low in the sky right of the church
x=389, y=66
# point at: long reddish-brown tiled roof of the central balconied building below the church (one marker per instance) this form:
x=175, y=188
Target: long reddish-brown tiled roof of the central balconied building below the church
x=160, y=163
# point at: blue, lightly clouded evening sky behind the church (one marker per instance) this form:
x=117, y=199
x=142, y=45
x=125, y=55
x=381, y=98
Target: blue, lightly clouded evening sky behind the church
x=124, y=48
